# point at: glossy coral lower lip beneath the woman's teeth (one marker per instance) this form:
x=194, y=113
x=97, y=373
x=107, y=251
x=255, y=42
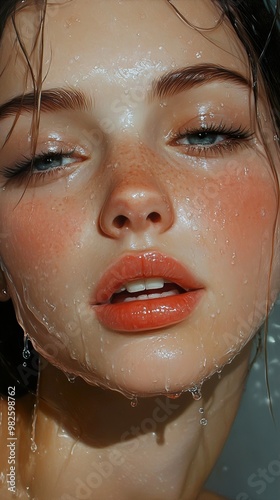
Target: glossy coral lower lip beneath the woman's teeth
x=141, y=315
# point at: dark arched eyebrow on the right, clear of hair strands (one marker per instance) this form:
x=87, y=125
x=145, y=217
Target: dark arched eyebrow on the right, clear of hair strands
x=178, y=81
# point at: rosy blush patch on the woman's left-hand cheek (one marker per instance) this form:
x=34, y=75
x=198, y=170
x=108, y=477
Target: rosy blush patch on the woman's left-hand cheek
x=45, y=229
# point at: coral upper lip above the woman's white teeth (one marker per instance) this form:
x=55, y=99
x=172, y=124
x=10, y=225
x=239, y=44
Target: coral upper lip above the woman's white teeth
x=132, y=267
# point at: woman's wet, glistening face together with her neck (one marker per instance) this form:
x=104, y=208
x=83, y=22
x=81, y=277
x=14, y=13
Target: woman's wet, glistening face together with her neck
x=126, y=188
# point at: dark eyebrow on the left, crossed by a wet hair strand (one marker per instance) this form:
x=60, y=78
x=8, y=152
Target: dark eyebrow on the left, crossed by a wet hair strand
x=56, y=99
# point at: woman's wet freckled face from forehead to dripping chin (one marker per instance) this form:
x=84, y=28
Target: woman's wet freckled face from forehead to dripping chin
x=138, y=252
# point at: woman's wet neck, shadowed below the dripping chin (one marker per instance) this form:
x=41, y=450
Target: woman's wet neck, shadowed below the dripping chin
x=160, y=445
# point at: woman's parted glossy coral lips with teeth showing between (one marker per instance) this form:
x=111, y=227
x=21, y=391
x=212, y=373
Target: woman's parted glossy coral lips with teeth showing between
x=145, y=291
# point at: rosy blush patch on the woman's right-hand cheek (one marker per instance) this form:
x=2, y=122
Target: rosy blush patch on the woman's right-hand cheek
x=242, y=212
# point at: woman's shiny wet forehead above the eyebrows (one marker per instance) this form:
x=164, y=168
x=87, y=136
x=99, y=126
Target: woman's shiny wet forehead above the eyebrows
x=120, y=41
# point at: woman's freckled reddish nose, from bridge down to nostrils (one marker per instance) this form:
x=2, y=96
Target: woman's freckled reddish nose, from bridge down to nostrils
x=137, y=200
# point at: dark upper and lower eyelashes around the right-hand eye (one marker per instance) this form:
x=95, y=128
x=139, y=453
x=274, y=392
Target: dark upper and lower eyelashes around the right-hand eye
x=234, y=137
